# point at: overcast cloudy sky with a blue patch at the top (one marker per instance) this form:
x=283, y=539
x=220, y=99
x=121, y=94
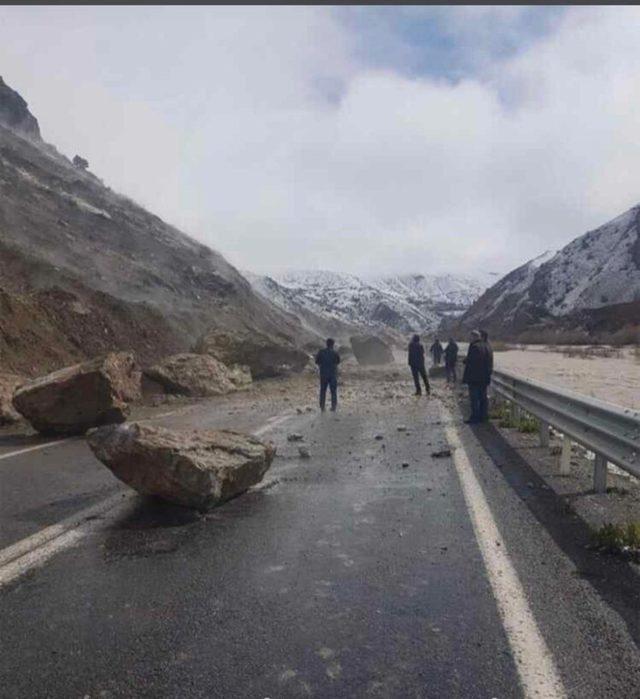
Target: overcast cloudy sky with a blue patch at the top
x=367, y=140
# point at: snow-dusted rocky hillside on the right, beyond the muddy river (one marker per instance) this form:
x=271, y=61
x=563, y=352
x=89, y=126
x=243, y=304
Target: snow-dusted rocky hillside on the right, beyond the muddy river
x=591, y=285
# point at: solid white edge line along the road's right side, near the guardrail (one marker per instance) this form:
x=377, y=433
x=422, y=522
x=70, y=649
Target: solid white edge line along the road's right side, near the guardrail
x=534, y=662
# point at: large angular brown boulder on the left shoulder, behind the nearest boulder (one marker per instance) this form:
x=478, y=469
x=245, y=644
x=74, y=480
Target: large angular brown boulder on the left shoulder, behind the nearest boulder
x=73, y=399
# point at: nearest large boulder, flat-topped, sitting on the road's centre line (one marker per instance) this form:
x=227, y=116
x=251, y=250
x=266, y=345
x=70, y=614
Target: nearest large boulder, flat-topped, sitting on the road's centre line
x=197, y=469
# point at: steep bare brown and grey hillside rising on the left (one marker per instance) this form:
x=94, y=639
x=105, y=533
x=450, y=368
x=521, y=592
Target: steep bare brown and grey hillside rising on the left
x=84, y=269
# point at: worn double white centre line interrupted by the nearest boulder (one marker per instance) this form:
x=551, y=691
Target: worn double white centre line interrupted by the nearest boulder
x=34, y=550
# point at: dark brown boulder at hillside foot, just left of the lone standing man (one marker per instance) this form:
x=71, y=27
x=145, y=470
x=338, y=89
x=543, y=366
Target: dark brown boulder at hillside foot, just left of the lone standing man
x=264, y=355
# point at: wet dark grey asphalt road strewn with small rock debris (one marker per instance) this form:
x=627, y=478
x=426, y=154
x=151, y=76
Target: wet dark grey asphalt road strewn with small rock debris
x=365, y=571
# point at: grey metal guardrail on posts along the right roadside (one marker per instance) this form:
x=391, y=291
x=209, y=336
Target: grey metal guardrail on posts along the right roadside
x=612, y=433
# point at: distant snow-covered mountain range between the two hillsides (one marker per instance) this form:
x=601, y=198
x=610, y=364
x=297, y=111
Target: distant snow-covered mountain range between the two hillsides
x=332, y=302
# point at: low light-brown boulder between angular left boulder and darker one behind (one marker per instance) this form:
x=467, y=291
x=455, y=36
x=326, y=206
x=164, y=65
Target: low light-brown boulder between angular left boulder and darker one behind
x=198, y=375
